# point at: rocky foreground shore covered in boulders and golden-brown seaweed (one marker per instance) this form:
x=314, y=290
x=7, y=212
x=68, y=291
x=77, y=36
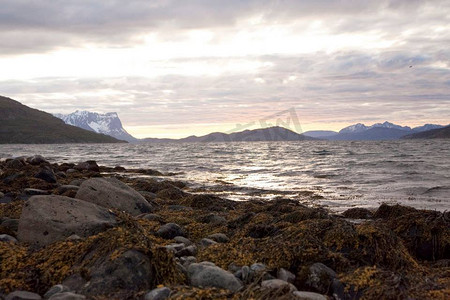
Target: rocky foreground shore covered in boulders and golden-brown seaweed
x=83, y=231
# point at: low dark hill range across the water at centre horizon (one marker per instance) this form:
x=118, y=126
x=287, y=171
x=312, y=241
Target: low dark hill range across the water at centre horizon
x=265, y=134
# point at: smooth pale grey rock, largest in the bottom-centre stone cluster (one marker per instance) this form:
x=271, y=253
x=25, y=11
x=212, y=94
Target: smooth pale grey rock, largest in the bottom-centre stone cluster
x=206, y=274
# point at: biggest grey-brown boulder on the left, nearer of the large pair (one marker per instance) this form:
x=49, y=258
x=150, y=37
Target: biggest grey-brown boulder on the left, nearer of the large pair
x=47, y=219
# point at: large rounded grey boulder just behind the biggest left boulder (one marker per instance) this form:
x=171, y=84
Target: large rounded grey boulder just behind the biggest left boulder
x=113, y=193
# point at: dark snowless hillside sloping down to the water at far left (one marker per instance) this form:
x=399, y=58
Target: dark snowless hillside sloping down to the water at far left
x=20, y=124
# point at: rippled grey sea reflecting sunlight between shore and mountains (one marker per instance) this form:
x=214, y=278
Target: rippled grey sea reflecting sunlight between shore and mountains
x=334, y=174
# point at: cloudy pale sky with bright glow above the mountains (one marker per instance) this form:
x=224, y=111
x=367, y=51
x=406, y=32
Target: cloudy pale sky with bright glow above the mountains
x=175, y=68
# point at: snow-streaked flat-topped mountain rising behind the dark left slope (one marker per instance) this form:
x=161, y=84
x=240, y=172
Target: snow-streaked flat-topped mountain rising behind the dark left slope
x=108, y=123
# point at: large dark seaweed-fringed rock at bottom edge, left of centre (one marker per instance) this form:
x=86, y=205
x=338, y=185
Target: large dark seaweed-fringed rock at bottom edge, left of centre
x=131, y=271
